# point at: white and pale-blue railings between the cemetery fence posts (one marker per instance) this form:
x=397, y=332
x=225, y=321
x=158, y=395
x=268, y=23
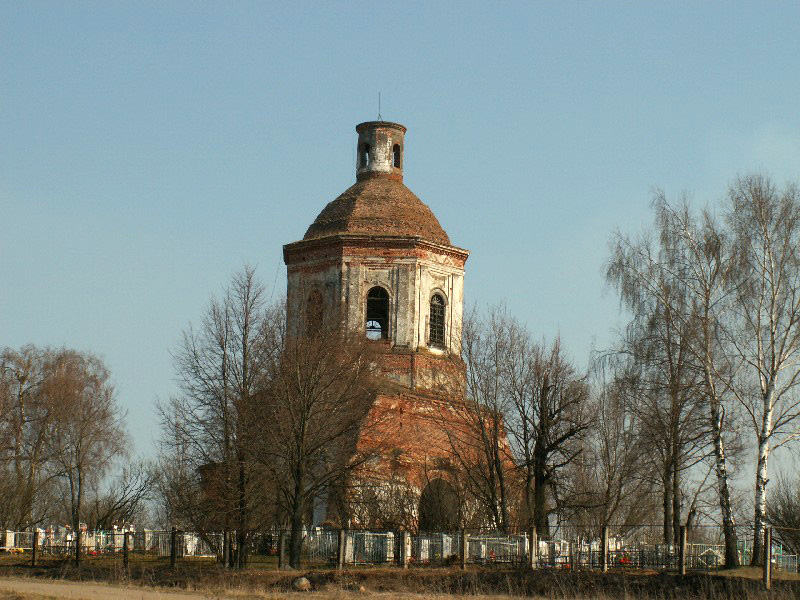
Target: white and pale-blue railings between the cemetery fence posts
x=384, y=548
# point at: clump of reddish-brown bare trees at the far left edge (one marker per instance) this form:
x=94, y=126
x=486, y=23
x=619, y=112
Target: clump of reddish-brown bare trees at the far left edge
x=61, y=424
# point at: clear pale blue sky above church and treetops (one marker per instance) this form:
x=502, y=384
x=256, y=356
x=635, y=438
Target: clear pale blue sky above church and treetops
x=149, y=150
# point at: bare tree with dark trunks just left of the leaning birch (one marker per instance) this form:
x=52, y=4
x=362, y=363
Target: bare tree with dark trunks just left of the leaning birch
x=659, y=341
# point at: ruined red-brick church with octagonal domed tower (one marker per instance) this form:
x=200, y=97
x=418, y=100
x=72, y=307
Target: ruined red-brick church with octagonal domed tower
x=377, y=257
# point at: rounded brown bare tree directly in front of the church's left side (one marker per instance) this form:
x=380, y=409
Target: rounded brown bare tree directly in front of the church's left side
x=307, y=420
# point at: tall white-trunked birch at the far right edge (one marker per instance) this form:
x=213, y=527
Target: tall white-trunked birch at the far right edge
x=765, y=223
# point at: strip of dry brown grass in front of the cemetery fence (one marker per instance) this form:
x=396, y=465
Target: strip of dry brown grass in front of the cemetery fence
x=206, y=580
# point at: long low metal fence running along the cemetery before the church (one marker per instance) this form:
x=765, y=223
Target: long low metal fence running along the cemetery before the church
x=637, y=548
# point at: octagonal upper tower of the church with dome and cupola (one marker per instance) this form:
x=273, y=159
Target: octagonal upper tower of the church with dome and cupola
x=377, y=260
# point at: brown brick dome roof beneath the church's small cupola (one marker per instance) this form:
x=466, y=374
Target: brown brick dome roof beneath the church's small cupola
x=378, y=206
